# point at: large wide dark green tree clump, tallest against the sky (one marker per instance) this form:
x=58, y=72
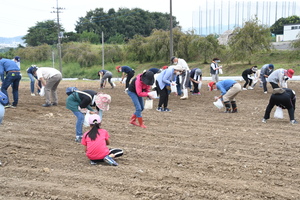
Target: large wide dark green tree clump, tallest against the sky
x=125, y=23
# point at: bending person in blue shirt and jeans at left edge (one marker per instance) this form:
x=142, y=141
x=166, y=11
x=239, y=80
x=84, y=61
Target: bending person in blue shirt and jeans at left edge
x=13, y=77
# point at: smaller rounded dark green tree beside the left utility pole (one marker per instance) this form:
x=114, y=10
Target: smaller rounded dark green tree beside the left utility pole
x=42, y=33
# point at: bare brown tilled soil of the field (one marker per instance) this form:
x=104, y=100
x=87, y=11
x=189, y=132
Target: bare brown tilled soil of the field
x=194, y=152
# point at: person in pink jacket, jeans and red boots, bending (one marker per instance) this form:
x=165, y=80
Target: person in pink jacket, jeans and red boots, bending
x=140, y=87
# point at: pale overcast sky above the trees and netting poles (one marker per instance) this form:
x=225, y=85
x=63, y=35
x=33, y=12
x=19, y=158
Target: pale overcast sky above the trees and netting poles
x=17, y=16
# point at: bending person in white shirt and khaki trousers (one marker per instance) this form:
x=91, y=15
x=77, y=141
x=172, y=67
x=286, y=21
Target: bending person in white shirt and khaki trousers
x=50, y=79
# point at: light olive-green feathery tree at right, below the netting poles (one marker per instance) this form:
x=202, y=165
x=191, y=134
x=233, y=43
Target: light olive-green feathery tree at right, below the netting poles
x=249, y=40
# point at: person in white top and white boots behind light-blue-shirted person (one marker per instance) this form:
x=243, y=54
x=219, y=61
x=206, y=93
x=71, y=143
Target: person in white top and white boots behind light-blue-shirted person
x=183, y=80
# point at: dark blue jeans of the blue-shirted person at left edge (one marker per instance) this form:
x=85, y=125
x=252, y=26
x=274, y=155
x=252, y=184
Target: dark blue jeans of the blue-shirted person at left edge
x=14, y=79
